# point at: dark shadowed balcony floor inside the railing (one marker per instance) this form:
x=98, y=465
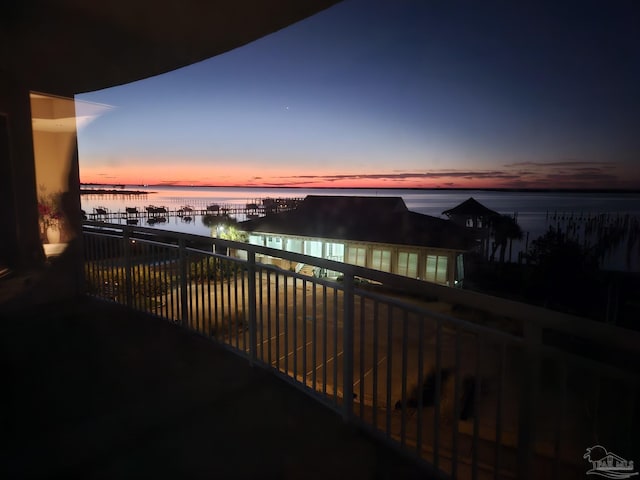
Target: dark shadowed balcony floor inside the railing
x=94, y=390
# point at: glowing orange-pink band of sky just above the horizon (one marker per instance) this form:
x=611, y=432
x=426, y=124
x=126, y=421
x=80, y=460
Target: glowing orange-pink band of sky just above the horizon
x=567, y=174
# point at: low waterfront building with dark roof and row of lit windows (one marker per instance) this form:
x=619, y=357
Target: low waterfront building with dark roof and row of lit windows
x=373, y=232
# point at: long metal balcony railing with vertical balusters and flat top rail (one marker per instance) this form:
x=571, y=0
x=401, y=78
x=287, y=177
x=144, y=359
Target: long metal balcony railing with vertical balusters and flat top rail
x=519, y=392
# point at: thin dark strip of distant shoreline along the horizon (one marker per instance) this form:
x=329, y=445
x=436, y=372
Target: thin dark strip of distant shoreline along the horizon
x=96, y=191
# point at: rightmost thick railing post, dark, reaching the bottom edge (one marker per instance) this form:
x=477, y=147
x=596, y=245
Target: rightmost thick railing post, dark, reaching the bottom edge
x=528, y=402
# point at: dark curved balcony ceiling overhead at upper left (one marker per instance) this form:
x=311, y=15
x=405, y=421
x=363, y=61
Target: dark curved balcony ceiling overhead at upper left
x=73, y=46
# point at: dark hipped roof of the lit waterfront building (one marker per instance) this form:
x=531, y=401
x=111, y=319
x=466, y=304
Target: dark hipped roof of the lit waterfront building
x=366, y=219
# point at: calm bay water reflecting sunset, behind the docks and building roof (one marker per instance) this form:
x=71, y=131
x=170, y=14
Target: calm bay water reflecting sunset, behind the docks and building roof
x=532, y=208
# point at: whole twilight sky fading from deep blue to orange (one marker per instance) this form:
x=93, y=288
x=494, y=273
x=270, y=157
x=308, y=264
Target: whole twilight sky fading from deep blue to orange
x=398, y=93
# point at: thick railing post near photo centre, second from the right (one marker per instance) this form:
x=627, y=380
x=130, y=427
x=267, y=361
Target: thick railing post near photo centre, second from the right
x=347, y=337
